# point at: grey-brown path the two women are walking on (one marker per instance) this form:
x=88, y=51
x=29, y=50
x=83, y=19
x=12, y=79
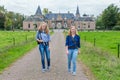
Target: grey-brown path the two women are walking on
x=29, y=66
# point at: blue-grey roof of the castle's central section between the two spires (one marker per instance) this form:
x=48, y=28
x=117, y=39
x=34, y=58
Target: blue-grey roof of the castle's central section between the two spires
x=50, y=16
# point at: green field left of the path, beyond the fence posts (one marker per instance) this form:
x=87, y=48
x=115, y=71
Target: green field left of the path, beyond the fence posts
x=6, y=37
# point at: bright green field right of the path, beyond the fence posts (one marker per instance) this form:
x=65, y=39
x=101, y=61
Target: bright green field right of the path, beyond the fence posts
x=107, y=41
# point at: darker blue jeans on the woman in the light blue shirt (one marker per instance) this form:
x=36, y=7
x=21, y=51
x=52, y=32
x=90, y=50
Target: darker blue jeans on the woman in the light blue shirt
x=44, y=50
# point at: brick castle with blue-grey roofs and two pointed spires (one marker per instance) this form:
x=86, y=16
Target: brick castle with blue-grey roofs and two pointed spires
x=59, y=20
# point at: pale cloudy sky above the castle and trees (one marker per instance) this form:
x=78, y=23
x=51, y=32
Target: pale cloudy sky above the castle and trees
x=28, y=7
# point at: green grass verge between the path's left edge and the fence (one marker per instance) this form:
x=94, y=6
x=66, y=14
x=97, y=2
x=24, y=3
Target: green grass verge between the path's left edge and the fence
x=14, y=53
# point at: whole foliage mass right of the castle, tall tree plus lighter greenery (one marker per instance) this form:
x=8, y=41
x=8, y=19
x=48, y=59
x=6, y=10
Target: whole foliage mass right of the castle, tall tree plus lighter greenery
x=109, y=18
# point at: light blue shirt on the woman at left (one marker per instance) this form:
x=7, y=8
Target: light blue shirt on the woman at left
x=42, y=35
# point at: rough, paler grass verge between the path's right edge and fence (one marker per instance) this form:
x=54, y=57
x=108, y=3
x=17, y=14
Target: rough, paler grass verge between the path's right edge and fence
x=103, y=65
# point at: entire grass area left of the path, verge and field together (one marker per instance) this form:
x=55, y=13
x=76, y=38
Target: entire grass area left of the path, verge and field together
x=22, y=46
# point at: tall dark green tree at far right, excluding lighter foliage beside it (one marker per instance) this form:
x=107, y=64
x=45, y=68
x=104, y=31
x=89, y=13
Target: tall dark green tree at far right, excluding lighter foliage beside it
x=110, y=16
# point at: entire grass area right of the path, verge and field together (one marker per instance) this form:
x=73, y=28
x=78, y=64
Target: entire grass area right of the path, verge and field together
x=102, y=59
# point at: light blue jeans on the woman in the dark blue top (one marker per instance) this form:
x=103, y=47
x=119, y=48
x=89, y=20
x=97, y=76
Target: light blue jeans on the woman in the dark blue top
x=72, y=57
